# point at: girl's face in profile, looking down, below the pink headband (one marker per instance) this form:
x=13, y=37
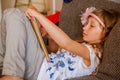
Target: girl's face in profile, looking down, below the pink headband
x=92, y=31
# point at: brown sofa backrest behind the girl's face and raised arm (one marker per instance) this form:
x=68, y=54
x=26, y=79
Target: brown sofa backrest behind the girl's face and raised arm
x=69, y=18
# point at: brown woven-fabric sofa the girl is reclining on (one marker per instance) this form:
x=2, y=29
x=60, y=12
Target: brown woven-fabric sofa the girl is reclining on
x=109, y=69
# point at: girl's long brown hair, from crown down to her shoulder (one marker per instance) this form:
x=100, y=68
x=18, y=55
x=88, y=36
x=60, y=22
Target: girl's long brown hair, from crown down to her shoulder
x=109, y=18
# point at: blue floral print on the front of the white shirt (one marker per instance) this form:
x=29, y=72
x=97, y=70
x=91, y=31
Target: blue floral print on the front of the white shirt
x=60, y=61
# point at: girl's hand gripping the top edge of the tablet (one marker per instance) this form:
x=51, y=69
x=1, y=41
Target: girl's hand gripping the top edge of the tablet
x=31, y=12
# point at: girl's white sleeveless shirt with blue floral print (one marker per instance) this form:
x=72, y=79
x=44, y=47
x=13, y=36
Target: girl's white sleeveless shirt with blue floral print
x=67, y=65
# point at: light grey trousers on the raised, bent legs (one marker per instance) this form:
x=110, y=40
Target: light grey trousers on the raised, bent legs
x=21, y=51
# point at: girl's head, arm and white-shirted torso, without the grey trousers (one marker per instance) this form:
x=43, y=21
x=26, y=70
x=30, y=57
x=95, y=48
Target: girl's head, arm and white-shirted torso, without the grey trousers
x=76, y=59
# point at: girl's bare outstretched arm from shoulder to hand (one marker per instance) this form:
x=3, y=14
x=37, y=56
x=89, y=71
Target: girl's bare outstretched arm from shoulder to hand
x=62, y=39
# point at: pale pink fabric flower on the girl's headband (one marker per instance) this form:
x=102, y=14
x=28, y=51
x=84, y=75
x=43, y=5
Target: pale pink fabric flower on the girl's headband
x=87, y=13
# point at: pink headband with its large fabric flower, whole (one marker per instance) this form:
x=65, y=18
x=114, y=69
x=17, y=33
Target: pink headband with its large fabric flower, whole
x=88, y=13
